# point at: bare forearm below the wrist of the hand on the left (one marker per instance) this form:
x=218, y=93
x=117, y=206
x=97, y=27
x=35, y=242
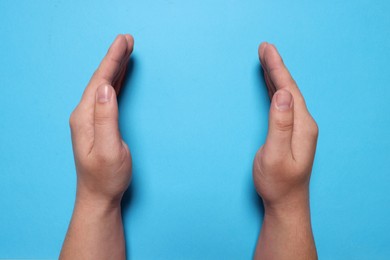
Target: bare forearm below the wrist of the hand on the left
x=95, y=232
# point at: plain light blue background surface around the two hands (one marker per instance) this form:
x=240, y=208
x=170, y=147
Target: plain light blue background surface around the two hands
x=194, y=112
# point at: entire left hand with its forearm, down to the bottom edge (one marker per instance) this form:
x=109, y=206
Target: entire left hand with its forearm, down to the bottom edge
x=103, y=162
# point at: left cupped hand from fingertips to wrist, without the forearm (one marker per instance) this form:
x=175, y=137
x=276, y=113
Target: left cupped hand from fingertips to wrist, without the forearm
x=103, y=160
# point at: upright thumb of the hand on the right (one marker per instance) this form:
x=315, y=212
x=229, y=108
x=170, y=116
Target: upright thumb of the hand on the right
x=281, y=122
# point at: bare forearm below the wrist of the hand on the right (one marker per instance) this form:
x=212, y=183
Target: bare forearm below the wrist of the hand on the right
x=287, y=234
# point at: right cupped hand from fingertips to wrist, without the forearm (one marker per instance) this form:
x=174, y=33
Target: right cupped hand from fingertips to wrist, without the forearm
x=283, y=165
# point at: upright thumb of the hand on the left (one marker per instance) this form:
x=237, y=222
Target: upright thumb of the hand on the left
x=107, y=138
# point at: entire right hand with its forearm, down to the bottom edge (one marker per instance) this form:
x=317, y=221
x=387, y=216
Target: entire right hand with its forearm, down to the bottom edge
x=282, y=166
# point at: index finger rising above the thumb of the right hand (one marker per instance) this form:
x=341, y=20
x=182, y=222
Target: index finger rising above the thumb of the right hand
x=279, y=75
